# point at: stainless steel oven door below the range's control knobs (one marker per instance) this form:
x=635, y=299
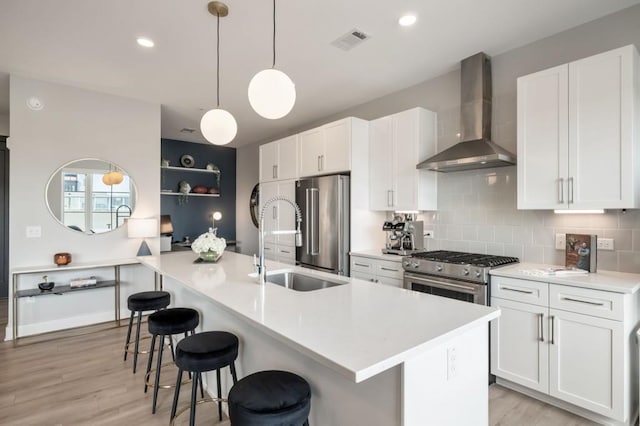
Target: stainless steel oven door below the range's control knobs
x=451, y=288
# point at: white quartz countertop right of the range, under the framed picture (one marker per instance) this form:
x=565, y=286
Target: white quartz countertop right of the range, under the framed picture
x=618, y=282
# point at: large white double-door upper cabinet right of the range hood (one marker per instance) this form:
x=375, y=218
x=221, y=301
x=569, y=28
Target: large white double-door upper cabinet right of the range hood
x=577, y=136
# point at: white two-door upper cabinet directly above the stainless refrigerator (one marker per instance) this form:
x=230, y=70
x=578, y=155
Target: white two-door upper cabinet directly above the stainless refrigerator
x=326, y=149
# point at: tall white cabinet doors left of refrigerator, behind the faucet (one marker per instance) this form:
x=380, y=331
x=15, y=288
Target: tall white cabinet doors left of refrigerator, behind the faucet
x=277, y=217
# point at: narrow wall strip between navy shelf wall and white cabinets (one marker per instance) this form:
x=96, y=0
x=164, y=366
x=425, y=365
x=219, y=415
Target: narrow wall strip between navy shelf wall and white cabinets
x=247, y=176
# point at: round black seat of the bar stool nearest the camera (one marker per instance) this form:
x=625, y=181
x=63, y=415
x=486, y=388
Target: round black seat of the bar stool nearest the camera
x=270, y=398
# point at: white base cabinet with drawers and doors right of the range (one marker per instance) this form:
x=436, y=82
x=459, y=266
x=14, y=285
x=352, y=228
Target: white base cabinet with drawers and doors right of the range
x=570, y=343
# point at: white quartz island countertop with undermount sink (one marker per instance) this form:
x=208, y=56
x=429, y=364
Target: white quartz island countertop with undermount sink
x=358, y=329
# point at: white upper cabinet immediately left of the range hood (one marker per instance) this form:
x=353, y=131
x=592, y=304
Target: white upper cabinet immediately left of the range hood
x=397, y=143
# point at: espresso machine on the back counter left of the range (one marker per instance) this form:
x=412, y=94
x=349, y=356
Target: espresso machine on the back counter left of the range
x=404, y=235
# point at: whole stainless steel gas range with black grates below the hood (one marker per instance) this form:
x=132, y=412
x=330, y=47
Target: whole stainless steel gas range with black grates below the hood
x=457, y=275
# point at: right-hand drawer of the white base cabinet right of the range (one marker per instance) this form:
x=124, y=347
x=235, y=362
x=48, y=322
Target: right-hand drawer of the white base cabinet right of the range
x=586, y=301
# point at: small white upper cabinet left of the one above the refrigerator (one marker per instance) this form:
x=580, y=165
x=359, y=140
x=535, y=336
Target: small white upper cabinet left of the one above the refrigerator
x=278, y=160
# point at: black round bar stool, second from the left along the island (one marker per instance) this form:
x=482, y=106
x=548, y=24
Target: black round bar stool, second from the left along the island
x=167, y=322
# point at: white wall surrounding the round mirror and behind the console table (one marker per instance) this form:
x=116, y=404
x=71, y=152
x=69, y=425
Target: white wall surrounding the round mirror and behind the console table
x=73, y=124
